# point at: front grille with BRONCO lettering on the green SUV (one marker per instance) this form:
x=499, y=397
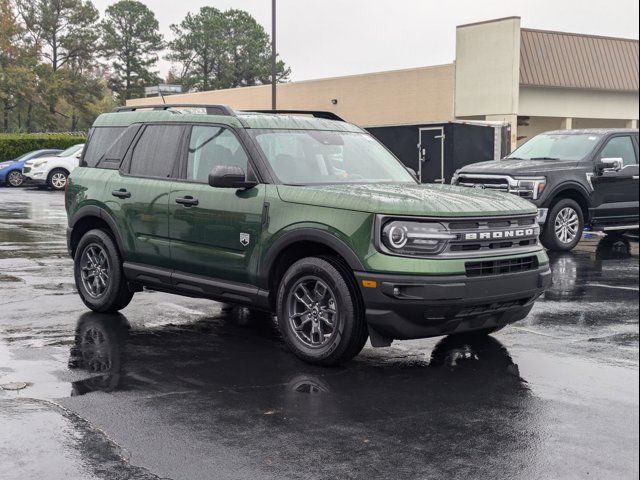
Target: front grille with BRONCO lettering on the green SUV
x=492, y=236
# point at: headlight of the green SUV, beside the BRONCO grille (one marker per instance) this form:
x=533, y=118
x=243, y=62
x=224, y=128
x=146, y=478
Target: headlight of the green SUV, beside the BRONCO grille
x=414, y=238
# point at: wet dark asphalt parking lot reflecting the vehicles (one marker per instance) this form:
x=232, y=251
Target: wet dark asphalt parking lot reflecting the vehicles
x=185, y=389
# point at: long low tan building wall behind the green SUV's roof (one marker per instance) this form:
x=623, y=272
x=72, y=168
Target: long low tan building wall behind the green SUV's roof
x=404, y=96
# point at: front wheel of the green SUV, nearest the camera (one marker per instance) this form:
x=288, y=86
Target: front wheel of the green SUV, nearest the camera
x=319, y=312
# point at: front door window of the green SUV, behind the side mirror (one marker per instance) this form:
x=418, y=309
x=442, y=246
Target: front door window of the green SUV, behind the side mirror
x=211, y=146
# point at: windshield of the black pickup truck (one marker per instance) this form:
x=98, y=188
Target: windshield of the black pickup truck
x=556, y=146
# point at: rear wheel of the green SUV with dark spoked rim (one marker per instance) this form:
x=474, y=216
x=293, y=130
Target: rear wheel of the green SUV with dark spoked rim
x=98, y=273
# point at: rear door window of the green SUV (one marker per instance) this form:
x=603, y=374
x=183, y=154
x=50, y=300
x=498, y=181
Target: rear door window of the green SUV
x=156, y=152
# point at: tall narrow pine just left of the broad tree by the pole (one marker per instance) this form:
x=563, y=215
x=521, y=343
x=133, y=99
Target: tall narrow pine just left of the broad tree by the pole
x=130, y=39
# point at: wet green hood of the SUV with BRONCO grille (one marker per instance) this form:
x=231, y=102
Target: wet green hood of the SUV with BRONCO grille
x=408, y=199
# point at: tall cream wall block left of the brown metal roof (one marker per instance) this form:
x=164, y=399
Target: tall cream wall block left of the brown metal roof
x=487, y=68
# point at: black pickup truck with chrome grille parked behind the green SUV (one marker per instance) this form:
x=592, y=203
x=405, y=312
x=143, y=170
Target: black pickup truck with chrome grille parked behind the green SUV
x=574, y=177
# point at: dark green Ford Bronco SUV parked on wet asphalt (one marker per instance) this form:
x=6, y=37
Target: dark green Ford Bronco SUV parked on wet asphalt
x=299, y=214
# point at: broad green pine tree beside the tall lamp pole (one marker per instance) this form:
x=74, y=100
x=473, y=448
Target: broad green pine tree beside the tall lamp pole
x=222, y=50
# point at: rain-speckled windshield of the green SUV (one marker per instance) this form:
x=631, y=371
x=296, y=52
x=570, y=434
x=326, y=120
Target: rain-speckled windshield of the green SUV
x=304, y=157
